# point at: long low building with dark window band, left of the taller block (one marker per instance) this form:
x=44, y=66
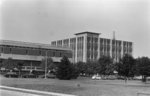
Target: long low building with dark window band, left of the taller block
x=31, y=53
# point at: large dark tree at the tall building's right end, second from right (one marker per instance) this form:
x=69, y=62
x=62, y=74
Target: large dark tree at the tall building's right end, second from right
x=125, y=66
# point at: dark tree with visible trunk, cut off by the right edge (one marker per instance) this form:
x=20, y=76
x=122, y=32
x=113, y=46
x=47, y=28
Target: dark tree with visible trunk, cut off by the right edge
x=143, y=66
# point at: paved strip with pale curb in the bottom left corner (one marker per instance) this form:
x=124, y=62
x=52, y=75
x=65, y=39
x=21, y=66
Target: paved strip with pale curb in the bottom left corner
x=12, y=91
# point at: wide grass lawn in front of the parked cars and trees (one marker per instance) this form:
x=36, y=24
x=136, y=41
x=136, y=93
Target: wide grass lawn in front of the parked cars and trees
x=81, y=86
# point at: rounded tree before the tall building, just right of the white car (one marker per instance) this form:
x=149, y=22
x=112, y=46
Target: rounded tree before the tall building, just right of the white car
x=105, y=66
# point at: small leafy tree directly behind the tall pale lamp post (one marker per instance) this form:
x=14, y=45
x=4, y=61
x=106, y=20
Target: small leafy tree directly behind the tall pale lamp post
x=50, y=65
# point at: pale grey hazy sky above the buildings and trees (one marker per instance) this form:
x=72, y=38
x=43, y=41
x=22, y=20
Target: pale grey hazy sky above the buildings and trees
x=42, y=21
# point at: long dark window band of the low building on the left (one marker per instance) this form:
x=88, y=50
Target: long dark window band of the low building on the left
x=36, y=52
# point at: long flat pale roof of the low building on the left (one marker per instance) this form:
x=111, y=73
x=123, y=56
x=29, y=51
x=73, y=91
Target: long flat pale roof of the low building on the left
x=29, y=44
